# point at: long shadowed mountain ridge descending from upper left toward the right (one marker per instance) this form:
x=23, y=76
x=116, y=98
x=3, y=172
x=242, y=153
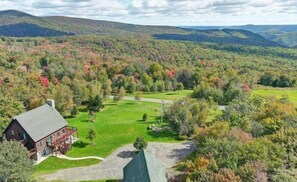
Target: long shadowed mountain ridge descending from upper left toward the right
x=19, y=24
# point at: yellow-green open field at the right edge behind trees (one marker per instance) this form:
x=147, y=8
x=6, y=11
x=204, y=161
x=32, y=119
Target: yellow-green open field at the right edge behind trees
x=291, y=93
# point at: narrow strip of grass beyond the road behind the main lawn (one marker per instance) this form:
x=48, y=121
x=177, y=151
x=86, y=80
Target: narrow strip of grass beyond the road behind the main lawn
x=168, y=95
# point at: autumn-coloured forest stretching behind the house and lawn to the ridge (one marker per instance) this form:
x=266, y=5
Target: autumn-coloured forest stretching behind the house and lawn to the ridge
x=70, y=69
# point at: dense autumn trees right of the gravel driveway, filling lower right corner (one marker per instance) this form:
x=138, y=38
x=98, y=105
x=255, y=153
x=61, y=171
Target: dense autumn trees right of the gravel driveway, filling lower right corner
x=254, y=139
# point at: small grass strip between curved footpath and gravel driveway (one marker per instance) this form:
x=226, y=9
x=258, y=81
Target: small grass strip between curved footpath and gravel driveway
x=53, y=164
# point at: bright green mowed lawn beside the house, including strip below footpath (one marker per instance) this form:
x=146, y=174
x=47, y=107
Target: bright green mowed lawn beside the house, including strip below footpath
x=116, y=125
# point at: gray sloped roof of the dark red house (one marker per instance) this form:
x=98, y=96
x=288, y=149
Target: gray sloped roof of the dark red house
x=41, y=122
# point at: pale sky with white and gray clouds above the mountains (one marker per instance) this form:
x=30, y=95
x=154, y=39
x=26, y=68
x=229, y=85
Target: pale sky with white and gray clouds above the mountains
x=166, y=12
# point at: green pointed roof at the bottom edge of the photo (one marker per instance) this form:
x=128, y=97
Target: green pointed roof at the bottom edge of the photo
x=144, y=167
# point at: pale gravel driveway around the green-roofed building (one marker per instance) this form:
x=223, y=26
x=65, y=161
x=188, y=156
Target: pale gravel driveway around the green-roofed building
x=112, y=167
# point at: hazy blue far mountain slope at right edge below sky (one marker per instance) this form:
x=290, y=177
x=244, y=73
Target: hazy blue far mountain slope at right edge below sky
x=285, y=35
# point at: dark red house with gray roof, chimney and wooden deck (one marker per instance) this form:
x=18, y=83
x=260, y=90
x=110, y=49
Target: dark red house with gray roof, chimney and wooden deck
x=43, y=131
